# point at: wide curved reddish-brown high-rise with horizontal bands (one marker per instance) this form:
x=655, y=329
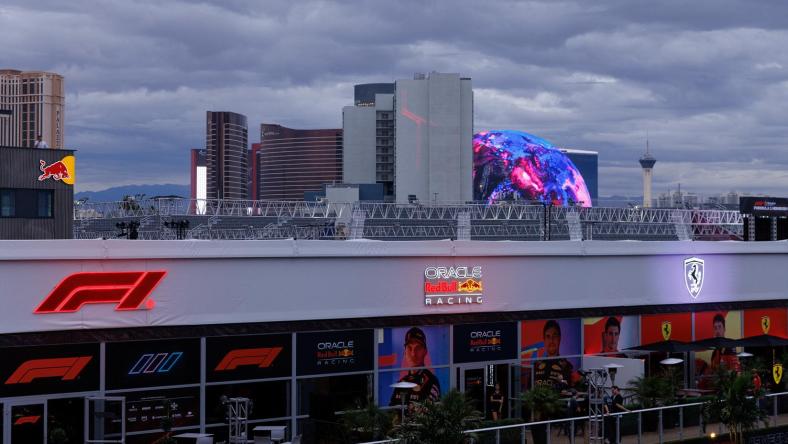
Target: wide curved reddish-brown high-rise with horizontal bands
x=291, y=162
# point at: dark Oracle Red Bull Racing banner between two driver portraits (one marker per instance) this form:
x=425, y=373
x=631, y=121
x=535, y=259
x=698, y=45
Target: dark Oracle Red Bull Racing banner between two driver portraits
x=485, y=342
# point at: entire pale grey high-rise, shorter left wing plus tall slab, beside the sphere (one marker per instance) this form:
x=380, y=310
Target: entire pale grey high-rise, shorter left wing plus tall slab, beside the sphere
x=417, y=141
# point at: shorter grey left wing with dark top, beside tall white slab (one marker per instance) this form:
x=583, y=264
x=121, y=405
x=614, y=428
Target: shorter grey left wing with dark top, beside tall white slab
x=368, y=131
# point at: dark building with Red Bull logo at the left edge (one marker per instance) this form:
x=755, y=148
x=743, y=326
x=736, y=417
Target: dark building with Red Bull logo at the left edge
x=36, y=193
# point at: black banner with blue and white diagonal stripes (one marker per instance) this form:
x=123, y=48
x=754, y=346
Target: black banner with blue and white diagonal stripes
x=152, y=363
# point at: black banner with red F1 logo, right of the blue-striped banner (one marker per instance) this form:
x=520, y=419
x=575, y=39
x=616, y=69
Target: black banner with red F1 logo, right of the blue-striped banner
x=248, y=357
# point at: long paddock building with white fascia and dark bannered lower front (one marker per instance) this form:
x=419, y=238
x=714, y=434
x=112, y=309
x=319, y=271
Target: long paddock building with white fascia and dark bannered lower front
x=306, y=329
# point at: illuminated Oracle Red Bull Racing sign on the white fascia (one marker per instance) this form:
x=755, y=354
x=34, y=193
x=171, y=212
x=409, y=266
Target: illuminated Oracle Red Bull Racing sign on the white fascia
x=453, y=285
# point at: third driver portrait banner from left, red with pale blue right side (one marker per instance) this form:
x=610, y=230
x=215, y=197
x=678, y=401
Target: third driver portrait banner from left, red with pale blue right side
x=609, y=334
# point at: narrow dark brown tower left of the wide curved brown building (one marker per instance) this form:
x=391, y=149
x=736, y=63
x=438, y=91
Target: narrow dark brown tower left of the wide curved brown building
x=226, y=146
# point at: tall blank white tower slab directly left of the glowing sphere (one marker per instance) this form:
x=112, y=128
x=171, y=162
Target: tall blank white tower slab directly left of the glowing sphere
x=434, y=138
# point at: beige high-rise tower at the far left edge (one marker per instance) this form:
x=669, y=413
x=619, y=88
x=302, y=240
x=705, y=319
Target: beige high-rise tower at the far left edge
x=32, y=104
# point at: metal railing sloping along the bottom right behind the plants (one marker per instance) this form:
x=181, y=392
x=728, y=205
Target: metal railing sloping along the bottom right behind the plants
x=644, y=426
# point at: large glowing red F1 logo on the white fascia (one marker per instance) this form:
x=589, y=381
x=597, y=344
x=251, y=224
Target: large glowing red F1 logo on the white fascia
x=127, y=290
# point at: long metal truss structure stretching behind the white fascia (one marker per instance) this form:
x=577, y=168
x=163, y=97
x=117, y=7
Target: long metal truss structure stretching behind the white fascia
x=246, y=219
